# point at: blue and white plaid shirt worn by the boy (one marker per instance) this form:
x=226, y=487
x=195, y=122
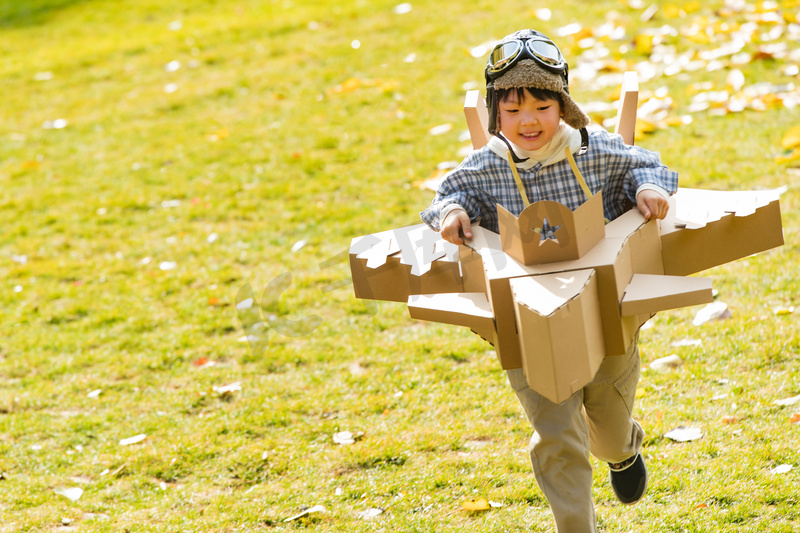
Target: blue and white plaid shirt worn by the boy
x=484, y=180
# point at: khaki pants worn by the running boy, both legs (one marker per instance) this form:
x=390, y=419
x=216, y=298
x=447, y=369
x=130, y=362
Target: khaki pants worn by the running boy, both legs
x=597, y=418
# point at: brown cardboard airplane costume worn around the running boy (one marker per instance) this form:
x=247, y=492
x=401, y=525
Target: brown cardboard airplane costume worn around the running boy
x=557, y=307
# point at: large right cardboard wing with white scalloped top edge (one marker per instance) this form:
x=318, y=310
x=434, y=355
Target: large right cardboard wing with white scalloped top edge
x=709, y=228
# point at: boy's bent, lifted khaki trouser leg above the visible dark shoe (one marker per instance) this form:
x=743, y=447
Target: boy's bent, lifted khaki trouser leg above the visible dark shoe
x=608, y=402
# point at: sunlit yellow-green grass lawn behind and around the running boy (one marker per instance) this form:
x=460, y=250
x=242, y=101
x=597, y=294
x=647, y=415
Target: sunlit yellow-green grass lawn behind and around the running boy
x=129, y=232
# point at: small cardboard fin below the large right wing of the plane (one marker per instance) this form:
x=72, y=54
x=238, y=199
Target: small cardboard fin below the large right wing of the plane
x=648, y=294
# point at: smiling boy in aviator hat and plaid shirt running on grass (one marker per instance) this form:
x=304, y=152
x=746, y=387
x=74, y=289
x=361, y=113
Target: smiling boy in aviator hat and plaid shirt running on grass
x=532, y=120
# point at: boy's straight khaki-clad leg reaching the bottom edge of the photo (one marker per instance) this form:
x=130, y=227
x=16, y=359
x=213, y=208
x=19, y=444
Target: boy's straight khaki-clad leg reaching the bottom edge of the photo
x=559, y=451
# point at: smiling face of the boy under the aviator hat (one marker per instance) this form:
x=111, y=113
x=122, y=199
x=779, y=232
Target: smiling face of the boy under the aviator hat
x=530, y=123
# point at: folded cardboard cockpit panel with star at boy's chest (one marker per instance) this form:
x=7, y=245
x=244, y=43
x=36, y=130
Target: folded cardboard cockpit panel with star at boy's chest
x=579, y=231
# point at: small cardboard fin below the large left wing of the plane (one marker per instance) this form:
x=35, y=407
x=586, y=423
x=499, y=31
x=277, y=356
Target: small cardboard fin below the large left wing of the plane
x=461, y=309
